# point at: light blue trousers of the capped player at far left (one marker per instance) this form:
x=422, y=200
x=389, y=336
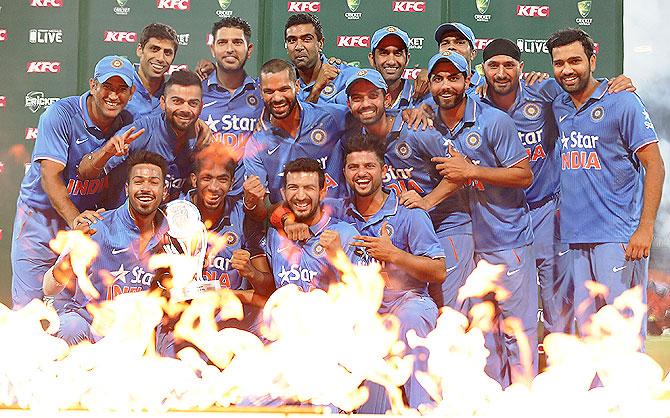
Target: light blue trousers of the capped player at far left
x=31, y=255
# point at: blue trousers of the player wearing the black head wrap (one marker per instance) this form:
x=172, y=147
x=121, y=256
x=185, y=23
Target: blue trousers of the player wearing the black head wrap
x=553, y=261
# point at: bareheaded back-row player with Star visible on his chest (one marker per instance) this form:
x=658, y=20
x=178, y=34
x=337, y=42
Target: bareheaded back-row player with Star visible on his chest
x=232, y=102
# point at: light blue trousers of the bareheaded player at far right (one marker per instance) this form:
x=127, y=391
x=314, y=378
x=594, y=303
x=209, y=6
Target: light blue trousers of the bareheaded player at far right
x=605, y=263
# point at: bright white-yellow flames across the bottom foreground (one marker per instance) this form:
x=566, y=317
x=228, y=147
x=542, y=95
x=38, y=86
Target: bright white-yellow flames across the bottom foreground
x=318, y=348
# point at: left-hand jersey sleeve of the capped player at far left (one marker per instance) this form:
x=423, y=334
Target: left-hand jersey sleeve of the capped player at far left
x=53, y=135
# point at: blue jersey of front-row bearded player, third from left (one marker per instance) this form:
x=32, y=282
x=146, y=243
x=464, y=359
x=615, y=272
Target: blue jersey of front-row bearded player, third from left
x=306, y=264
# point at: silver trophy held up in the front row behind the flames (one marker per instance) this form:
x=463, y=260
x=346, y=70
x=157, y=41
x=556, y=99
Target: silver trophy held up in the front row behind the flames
x=187, y=235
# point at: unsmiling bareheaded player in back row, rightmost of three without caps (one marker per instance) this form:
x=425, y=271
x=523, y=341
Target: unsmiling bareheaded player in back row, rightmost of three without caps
x=320, y=82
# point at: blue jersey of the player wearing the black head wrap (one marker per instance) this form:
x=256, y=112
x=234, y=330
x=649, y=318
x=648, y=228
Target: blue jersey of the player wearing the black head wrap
x=534, y=119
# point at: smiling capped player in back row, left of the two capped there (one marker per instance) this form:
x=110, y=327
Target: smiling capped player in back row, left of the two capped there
x=389, y=54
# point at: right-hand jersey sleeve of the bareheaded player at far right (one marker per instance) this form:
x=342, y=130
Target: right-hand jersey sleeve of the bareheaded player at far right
x=636, y=129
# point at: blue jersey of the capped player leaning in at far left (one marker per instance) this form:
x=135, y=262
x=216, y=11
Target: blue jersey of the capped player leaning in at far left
x=65, y=134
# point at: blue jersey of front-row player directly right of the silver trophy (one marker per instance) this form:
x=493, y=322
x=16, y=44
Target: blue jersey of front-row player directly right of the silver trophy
x=239, y=233
